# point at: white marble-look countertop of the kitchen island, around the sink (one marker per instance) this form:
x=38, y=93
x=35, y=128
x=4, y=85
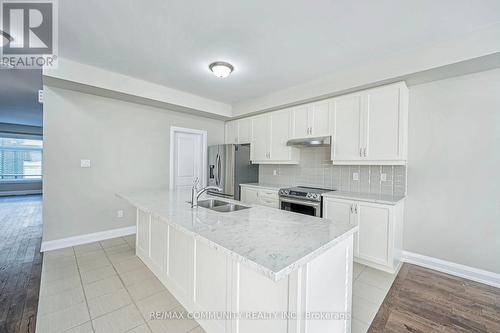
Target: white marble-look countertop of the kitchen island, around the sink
x=272, y=241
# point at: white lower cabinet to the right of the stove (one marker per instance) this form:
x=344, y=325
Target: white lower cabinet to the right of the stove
x=378, y=242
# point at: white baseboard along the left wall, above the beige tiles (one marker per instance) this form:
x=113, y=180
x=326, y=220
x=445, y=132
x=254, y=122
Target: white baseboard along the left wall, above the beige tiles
x=88, y=238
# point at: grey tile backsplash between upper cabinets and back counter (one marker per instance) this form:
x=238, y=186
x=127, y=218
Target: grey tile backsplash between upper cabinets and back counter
x=316, y=169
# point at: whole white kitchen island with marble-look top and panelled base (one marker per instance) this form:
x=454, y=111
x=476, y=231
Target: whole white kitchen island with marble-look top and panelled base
x=253, y=270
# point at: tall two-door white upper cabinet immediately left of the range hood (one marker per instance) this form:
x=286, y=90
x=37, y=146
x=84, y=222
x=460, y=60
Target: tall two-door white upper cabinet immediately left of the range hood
x=270, y=134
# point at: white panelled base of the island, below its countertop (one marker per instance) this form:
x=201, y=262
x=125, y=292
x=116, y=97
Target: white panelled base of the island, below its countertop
x=209, y=283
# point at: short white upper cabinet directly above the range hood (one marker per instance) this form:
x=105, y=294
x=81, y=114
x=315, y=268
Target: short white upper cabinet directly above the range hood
x=311, y=120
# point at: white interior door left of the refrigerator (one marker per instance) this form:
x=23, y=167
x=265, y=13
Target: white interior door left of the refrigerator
x=188, y=159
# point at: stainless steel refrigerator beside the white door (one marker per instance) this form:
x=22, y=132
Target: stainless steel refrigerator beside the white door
x=228, y=167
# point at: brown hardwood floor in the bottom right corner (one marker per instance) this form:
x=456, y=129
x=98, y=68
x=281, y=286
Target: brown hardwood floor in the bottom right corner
x=423, y=300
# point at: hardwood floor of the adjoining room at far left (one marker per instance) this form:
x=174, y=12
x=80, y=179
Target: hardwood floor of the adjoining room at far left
x=20, y=262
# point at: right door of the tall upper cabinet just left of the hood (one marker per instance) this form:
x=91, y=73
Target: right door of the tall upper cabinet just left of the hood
x=280, y=134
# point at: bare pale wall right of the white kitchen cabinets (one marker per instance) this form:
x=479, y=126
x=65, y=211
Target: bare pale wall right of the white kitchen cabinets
x=453, y=205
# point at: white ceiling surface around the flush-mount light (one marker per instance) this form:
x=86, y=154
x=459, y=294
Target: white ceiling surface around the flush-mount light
x=272, y=44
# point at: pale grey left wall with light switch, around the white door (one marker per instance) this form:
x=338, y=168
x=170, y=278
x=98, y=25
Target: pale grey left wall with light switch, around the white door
x=128, y=145
